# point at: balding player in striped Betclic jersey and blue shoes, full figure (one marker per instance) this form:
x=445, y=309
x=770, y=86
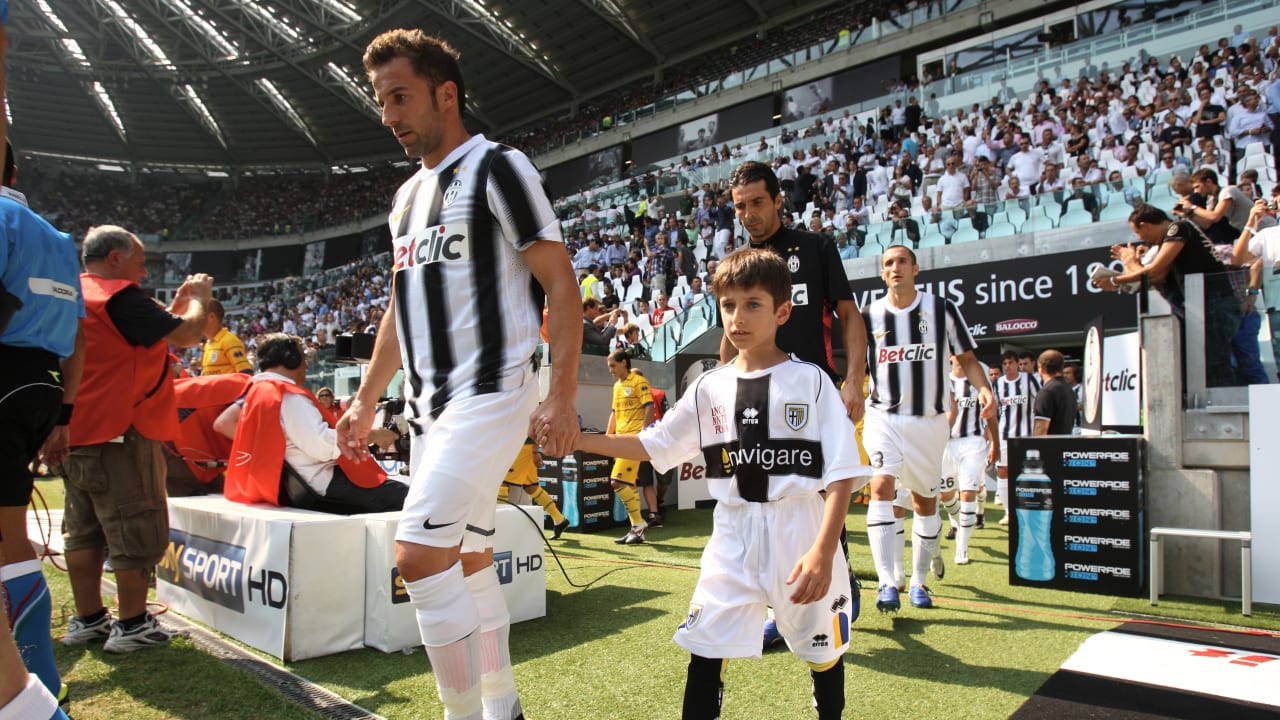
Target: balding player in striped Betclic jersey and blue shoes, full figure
x=909, y=339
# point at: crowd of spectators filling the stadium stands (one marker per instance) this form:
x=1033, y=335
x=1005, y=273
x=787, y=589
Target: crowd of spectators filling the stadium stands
x=1109, y=136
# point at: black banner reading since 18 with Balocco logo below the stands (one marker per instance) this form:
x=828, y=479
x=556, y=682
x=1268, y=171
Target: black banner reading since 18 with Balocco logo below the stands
x=1039, y=295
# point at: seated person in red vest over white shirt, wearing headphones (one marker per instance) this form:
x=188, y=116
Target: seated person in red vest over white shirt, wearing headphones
x=282, y=426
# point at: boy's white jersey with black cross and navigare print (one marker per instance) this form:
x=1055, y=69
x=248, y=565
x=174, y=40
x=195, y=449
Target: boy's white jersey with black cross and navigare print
x=765, y=436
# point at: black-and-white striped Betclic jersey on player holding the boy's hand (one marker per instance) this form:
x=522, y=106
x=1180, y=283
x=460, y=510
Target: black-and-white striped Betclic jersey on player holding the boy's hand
x=468, y=308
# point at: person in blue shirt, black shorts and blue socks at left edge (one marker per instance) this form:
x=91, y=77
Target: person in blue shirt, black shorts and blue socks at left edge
x=40, y=313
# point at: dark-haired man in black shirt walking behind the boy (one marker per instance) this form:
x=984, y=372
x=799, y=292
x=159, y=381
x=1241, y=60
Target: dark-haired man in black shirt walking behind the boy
x=819, y=284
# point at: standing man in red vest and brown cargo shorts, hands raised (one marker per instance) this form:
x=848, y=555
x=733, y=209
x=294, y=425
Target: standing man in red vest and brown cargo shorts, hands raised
x=125, y=411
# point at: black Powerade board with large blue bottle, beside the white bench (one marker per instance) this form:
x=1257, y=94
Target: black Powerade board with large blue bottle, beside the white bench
x=1080, y=514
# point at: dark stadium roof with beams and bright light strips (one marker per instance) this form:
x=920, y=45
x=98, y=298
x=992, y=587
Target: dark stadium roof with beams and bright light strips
x=244, y=84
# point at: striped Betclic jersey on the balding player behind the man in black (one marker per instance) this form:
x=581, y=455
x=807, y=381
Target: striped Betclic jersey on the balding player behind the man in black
x=908, y=353
